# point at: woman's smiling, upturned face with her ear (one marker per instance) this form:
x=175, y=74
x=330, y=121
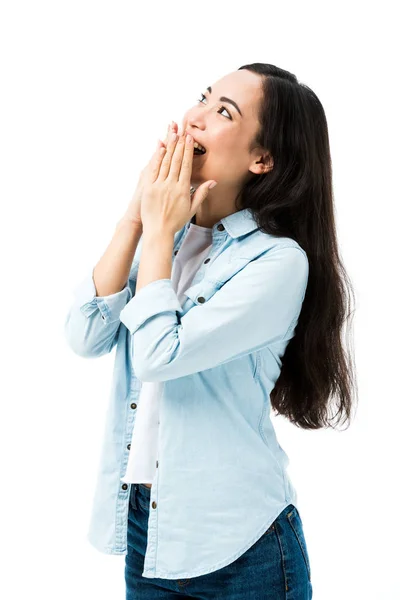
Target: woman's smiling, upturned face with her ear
x=226, y=130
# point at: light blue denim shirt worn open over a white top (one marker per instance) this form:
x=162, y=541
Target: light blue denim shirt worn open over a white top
x=221, y=476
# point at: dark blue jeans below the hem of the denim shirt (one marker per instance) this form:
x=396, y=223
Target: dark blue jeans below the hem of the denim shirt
x=276, y=567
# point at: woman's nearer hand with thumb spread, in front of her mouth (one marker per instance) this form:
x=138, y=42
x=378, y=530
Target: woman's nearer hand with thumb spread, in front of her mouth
x=166, y=202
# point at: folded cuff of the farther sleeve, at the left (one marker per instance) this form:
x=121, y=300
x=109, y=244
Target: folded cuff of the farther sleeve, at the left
x=109, y=306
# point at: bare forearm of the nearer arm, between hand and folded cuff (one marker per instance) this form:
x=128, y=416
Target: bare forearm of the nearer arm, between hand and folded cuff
x=156, y=257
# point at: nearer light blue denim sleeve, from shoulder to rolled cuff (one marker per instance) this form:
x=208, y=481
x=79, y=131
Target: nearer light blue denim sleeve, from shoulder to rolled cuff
x=258, y=306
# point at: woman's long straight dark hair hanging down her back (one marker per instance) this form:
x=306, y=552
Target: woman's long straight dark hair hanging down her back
x=295, y=199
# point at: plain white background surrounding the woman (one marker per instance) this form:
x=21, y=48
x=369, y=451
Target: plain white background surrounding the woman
x=86, y=90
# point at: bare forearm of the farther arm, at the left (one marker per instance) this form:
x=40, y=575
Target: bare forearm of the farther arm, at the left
x=111, y=272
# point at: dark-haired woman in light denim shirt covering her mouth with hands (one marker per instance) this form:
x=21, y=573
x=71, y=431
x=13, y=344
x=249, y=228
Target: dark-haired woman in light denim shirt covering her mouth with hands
x=221, y=306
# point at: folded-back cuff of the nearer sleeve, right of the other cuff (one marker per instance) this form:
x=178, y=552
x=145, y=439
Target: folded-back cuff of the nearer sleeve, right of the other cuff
x=156, y=297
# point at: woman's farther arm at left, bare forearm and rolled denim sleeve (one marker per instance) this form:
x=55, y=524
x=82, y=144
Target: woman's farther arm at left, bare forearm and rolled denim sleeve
x=92, y=321
